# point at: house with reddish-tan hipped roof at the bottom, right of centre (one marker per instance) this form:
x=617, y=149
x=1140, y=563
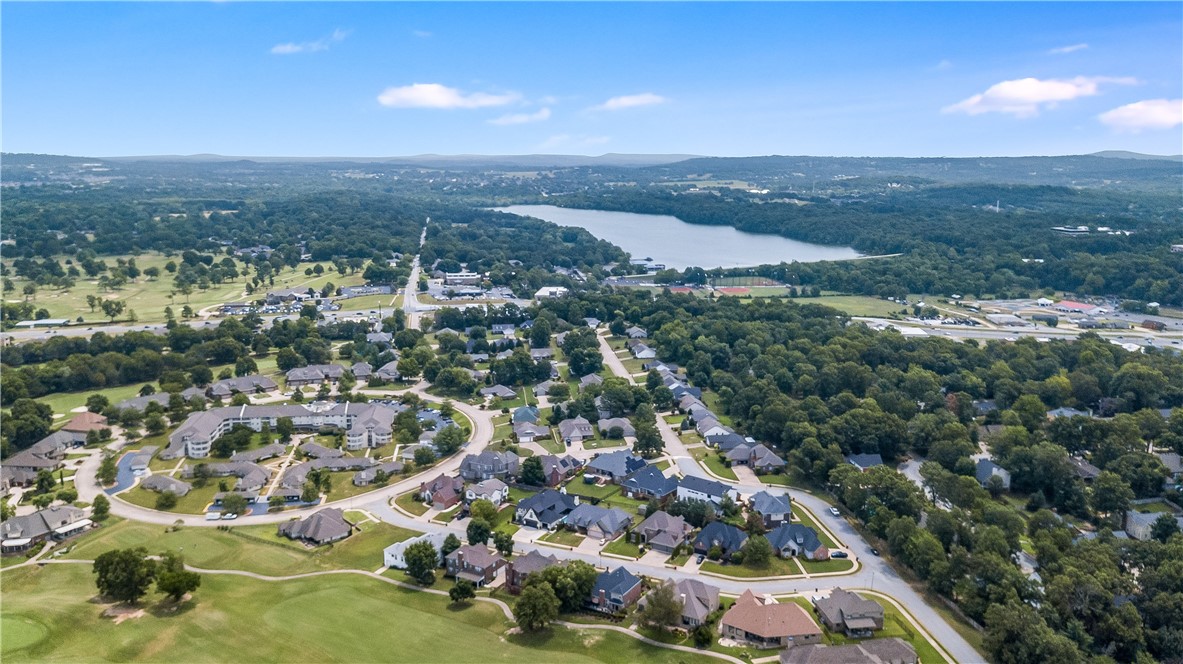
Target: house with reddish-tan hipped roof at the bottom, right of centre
x=766, y=623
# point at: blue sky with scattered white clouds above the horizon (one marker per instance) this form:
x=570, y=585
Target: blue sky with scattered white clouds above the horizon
x=380, y=80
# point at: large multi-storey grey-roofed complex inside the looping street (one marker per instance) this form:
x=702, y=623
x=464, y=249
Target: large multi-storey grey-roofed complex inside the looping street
x=367, y=426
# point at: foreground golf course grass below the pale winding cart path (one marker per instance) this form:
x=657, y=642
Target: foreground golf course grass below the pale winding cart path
x=49, y=616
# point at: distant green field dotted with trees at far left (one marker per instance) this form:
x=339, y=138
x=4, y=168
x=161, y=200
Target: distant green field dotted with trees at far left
x=150, y=298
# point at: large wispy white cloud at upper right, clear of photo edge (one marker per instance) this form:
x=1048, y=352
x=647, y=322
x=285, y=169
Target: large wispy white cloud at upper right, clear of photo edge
x=1025, y=98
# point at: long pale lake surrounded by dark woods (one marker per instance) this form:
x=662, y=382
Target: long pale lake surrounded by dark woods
x=680, y=246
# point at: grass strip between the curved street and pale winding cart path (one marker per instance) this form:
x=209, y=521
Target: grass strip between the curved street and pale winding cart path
x=250, y=549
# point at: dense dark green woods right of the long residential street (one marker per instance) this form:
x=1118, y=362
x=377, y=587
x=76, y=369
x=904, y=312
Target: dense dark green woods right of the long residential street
x=801, y=379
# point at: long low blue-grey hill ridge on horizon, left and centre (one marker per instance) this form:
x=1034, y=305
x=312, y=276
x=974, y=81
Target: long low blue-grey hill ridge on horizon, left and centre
x=434, y=160
